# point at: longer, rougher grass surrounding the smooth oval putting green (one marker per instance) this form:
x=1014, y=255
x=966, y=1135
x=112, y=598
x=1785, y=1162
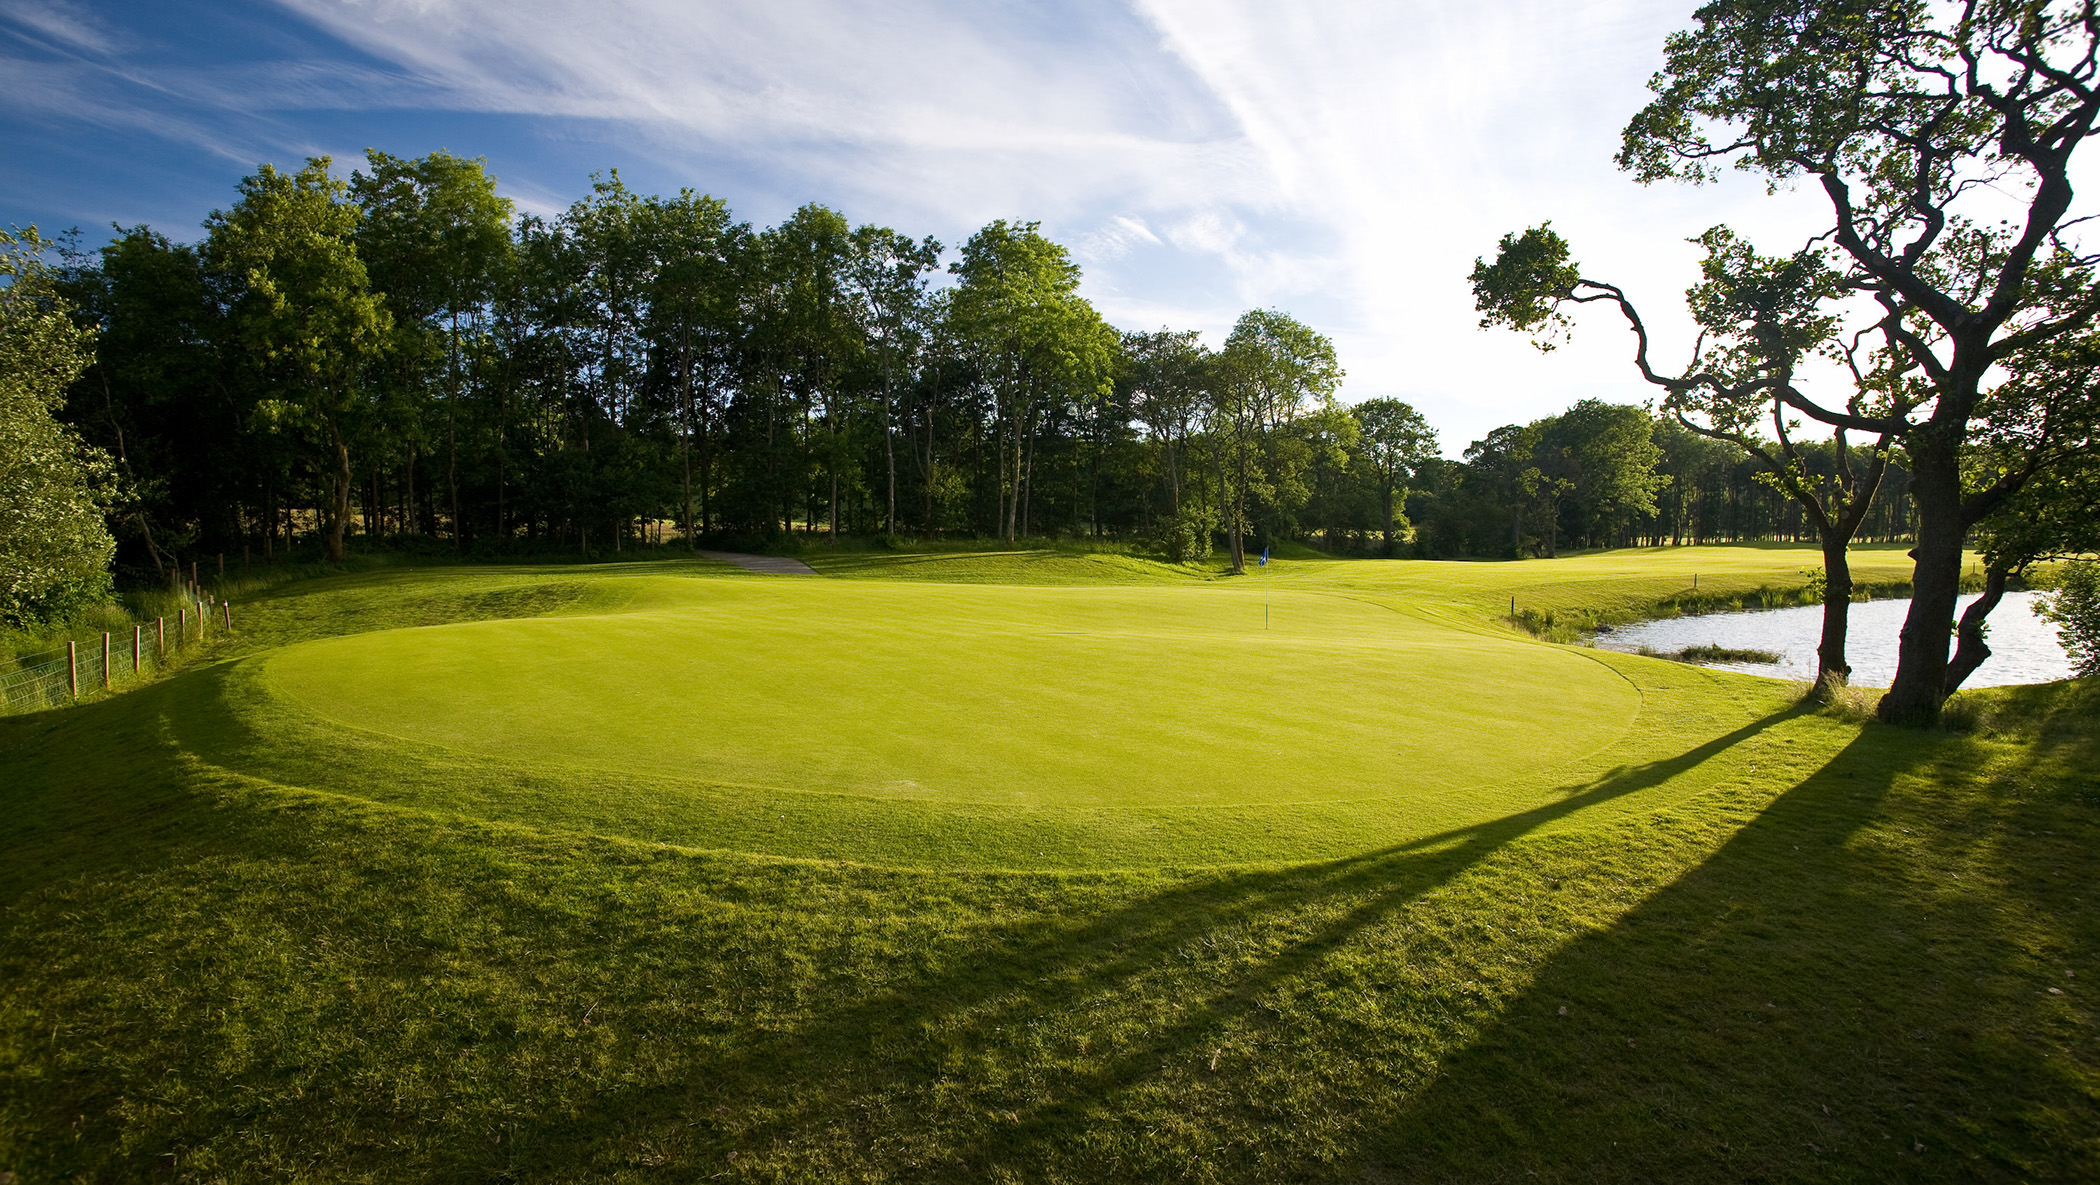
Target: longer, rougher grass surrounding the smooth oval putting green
x=1790, y=947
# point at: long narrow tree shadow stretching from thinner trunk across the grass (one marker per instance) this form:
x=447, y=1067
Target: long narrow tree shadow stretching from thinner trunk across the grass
x=944, y=1033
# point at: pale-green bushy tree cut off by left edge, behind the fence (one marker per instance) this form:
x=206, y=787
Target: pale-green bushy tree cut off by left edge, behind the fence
x=54, y=543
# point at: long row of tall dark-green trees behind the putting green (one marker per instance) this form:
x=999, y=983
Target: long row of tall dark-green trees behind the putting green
x=402, y=356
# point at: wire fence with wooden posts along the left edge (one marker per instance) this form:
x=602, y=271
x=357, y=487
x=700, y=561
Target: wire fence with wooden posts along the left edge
x=102, y=667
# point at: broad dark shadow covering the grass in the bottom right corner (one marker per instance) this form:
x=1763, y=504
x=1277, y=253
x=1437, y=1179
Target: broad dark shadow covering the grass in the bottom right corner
x=1876, y=980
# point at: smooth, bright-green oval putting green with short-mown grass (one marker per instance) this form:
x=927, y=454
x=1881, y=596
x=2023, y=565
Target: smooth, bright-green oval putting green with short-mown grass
x=1095, y=713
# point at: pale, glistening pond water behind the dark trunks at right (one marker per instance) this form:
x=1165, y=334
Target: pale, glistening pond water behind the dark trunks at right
x=2023, y=646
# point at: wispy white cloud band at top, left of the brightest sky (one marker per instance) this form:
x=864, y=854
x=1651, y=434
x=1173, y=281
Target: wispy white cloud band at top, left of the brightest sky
x=954, y=110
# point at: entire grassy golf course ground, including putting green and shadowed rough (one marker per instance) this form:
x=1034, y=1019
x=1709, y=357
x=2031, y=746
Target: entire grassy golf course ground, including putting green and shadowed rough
x=1038, y=867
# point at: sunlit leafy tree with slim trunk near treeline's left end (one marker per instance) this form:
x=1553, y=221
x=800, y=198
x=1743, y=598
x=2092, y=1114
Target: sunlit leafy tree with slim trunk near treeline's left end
x=303, y=308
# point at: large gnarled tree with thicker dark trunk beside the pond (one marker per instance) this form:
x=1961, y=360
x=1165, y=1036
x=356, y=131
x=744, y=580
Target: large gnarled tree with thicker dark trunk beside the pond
x=1941, y=136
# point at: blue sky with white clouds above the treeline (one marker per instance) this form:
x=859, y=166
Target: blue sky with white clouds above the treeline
x=1341, y=161
